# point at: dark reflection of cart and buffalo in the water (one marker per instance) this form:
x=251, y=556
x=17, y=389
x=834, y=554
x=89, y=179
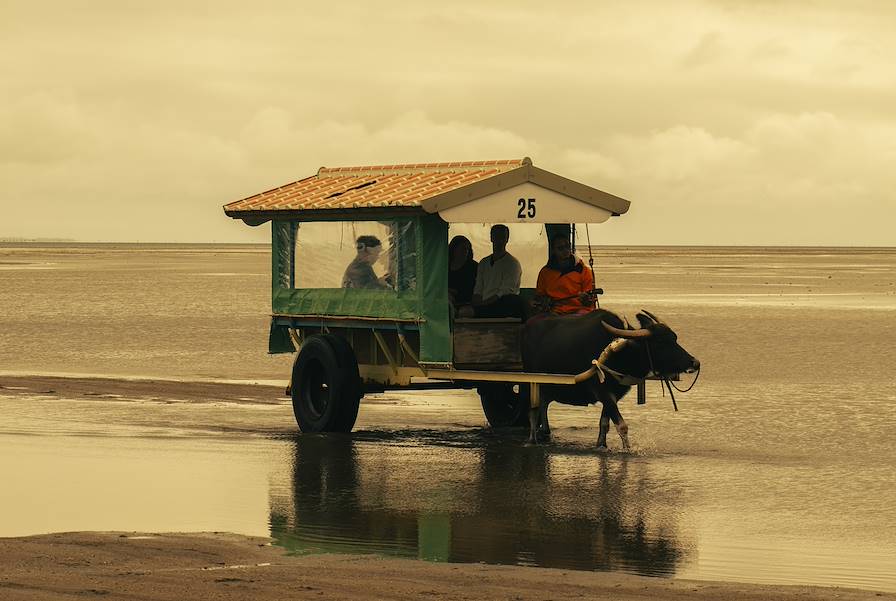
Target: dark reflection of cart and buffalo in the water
x=470, y=498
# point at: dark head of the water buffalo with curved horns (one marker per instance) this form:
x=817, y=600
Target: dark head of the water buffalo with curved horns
x=658, y=345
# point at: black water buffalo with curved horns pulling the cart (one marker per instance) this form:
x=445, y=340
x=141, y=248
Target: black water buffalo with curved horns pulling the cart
x=569, y=344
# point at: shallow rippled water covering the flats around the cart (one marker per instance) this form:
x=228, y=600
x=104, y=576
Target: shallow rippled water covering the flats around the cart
x=777, y=468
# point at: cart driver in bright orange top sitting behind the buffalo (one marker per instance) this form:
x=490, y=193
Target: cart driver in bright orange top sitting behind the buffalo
x=564, y=285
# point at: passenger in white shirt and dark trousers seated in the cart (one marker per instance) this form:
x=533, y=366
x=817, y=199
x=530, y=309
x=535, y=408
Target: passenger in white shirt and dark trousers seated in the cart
x=497, y=289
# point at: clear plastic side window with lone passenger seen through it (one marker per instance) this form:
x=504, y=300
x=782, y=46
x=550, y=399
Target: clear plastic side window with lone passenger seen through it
x=363, y=255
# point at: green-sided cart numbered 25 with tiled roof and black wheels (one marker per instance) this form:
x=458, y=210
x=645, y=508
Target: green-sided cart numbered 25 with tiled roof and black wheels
x=401, y=332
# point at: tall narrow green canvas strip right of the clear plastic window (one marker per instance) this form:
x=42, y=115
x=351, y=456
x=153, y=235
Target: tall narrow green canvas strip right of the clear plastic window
x=432, y=280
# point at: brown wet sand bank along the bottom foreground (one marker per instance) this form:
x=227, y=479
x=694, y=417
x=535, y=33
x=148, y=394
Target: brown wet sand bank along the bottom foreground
x=227, y=566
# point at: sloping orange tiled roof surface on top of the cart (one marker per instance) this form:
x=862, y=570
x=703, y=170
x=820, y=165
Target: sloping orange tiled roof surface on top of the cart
x=376, y=186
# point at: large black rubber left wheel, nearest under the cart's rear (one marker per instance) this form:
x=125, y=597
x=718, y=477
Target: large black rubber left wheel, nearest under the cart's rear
x=326, y=386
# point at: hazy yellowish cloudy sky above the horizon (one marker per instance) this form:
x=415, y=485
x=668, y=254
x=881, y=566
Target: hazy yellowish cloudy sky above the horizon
x=724, y=122
